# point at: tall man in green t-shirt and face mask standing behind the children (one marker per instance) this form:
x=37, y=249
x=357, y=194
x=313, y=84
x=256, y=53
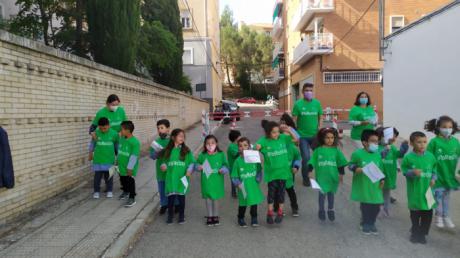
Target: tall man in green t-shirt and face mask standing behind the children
x=308, y=113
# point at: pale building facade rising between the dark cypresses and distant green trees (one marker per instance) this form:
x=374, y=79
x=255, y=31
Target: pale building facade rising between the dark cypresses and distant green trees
x=201, y=59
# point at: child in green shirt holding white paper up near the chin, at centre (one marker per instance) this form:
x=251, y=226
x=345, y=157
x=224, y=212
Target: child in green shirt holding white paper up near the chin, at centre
x=247, y=177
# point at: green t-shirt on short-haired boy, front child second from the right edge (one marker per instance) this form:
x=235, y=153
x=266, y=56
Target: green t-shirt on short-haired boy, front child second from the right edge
x=418, y=186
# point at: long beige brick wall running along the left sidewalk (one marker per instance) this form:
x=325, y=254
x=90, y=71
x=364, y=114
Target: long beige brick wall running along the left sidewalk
x=47, y=101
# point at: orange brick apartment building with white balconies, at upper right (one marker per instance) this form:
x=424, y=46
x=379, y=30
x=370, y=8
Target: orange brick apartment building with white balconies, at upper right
x=334, y=44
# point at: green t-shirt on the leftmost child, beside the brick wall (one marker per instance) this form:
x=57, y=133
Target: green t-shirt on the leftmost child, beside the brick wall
x=104, y=150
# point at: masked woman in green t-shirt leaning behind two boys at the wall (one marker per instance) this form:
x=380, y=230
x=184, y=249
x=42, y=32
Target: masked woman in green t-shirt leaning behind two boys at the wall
x=112, y=111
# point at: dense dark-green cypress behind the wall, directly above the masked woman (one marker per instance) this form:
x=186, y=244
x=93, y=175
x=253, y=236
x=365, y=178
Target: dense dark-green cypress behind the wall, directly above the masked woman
x=114, y=31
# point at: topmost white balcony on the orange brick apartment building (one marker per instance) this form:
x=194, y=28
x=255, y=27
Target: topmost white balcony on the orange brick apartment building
x=307, y=9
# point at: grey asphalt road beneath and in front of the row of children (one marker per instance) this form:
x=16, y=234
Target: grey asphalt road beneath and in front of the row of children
x=304, y=236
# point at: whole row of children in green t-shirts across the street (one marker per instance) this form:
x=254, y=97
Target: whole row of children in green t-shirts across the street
x=430, y=171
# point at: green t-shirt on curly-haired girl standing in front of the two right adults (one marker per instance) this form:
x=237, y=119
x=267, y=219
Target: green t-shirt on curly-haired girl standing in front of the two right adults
x=326, y=162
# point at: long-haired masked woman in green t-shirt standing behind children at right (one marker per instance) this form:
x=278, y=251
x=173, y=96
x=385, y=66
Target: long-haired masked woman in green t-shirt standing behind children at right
x=362, y=117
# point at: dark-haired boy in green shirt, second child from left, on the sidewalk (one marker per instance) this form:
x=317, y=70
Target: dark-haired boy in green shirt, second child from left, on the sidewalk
x=128, y=162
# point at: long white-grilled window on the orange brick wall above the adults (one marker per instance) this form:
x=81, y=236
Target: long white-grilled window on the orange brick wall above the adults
x=352, y=77
